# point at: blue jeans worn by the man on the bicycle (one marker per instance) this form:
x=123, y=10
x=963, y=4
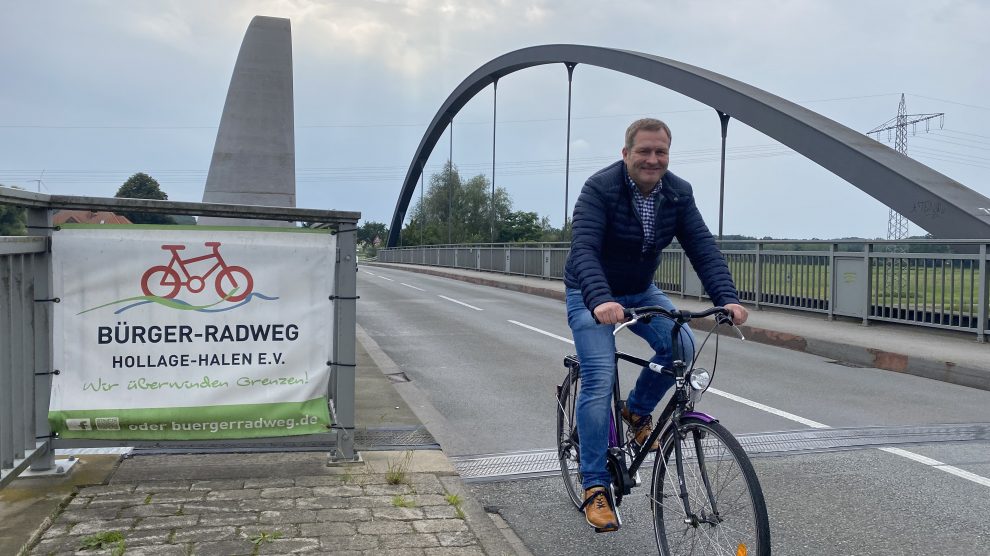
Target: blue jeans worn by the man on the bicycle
x=596, y=352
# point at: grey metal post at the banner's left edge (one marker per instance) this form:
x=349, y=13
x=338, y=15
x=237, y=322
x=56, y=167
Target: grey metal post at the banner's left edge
x=39, y=223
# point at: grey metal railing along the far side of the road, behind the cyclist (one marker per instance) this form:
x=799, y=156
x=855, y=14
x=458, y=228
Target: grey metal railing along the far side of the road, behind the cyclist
x=929, y=283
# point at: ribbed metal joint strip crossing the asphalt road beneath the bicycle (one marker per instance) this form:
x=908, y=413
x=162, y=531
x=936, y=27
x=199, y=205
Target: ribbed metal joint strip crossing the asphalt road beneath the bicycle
x=544, y=463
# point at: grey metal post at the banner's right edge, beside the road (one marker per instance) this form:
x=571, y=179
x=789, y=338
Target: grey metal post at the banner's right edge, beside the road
x=344, y=356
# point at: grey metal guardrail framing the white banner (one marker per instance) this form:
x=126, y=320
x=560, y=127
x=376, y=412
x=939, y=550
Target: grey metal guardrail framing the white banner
x=26, y=336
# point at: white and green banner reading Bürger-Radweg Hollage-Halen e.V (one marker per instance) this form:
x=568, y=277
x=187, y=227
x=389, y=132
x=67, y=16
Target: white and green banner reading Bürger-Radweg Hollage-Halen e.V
x=168, y=334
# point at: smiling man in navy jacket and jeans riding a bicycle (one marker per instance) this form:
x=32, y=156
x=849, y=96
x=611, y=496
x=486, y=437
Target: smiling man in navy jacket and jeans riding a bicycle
x=624, y=217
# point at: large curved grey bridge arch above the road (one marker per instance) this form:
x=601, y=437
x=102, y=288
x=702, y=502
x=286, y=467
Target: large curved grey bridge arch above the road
x=937, y=203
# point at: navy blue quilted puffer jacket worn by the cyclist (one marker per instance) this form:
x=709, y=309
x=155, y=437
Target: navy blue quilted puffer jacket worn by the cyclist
x=606, y=257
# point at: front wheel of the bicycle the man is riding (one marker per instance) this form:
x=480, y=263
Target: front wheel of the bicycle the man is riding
x=724, y=512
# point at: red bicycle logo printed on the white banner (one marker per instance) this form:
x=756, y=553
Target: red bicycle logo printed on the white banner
x=233, y=283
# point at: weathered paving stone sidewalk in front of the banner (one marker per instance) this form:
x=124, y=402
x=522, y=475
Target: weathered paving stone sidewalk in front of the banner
x=297, y=504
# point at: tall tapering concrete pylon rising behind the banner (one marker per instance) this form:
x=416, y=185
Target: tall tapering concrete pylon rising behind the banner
x=254, y=157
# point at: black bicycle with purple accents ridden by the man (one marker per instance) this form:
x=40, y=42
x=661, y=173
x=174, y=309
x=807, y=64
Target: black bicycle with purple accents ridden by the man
x=704, y=496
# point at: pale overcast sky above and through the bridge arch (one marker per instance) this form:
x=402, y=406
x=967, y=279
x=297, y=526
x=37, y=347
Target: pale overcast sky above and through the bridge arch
x=94, y=91
